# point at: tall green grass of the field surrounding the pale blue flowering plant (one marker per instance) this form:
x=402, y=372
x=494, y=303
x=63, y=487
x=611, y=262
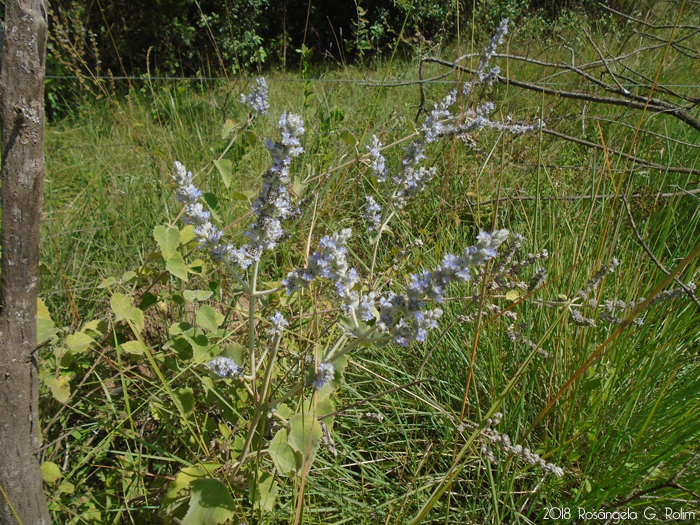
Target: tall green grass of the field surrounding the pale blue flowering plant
x=629, y=423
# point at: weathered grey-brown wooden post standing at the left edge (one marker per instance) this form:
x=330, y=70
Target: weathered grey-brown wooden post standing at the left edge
x=22, y=90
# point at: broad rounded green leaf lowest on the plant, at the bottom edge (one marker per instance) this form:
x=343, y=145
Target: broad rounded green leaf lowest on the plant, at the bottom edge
x=211, y=503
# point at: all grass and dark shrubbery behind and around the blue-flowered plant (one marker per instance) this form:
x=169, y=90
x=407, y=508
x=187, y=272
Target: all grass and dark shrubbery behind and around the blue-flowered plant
x=625, y=429
